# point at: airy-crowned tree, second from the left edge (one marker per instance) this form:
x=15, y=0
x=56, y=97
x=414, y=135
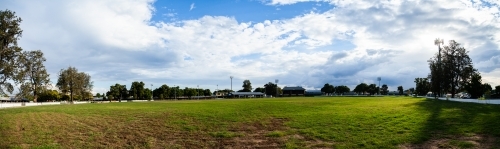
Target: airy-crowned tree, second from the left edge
x=32, y=74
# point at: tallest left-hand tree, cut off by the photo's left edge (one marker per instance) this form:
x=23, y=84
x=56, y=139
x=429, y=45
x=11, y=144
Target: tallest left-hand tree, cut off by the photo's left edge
x=10, y=32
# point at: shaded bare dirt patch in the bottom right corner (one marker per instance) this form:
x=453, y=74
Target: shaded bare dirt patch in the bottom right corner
x=455, y=142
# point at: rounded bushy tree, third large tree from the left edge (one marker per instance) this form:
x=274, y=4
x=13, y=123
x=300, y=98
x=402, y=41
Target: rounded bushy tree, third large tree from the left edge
x=73, y=82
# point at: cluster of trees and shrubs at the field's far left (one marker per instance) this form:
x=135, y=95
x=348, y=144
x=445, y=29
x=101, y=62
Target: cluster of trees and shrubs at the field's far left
x=26, y=71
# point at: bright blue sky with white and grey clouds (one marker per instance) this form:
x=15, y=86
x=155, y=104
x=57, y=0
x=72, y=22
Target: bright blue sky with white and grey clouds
x=306, y=43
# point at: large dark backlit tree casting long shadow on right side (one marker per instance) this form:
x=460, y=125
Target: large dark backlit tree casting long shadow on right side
x=451, y=69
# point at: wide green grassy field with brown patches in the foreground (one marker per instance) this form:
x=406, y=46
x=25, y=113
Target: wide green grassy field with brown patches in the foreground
x=311, y=122
